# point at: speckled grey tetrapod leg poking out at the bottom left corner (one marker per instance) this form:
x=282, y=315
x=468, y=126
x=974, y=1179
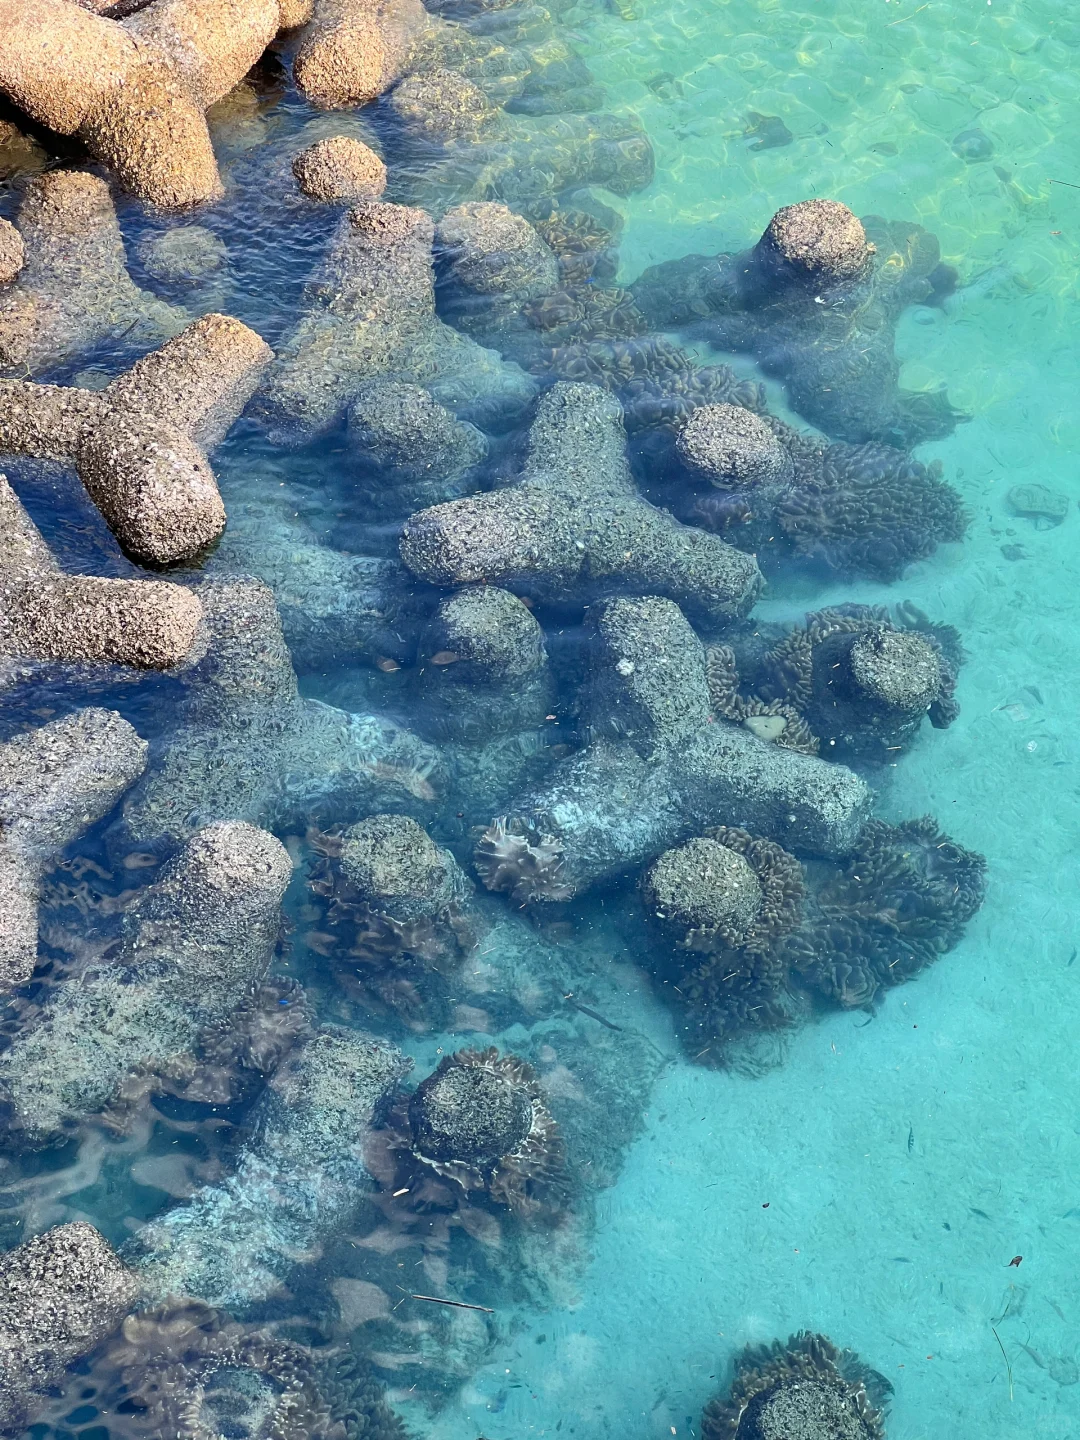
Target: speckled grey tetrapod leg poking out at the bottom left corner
x=61, y=1294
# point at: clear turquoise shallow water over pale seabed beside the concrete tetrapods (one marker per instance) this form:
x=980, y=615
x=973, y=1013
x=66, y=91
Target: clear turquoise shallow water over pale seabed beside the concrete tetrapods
x=908, y=1160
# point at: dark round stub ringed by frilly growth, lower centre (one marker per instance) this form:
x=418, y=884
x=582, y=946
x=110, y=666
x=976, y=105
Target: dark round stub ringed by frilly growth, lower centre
x=480, y=1120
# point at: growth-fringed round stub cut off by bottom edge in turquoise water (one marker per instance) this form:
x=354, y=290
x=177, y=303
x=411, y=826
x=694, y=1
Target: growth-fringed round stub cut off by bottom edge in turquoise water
x=804, y=1387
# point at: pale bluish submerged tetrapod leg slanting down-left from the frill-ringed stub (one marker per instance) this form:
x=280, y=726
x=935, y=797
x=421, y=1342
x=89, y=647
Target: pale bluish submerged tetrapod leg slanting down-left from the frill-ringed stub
x=297, y=1182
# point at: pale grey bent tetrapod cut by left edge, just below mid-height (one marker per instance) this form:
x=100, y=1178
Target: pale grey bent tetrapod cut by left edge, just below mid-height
x=55, y=784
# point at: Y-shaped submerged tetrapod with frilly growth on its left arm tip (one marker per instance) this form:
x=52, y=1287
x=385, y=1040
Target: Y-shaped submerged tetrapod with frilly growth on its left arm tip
x=660, y=771
